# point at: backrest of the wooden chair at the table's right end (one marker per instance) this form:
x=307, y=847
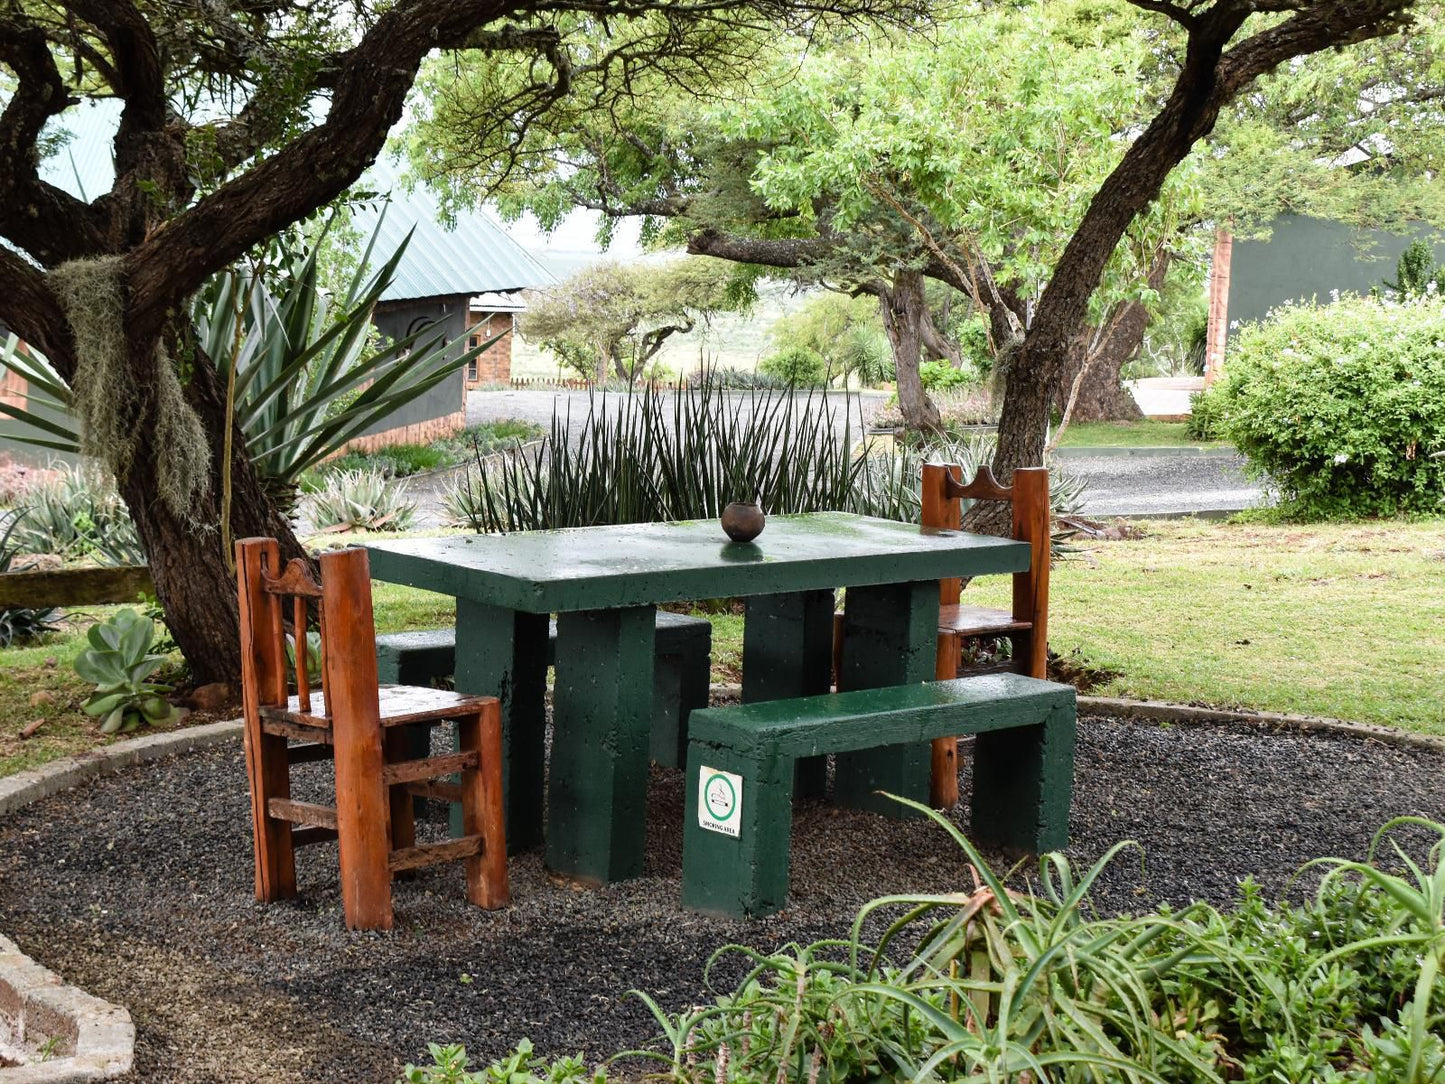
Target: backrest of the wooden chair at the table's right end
x=943, y=495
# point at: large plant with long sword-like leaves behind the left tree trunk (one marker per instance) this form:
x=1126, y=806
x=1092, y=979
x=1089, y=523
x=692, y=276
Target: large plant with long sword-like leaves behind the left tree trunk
x=303, y=371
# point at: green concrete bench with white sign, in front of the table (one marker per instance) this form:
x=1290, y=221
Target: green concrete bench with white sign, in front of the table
x=741, y=774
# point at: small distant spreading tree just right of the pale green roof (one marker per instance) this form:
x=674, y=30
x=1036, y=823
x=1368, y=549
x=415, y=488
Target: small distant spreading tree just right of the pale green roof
x=613, y=319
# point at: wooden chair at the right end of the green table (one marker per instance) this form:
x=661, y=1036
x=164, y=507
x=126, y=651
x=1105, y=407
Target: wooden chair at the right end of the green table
x=1025, y=625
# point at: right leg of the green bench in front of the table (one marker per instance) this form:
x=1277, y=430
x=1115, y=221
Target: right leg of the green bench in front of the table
x=1024, y=786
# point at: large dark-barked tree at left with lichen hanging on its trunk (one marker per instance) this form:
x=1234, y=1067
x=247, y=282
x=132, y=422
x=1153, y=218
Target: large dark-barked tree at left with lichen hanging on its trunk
x=222, y=145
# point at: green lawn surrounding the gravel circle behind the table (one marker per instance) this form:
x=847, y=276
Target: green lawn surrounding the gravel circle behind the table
x=1337, y=621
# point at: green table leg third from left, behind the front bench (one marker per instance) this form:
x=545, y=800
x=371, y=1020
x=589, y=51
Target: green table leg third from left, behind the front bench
x=788, y=654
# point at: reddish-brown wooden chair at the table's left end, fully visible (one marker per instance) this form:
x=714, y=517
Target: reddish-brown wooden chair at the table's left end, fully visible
x=358, y=725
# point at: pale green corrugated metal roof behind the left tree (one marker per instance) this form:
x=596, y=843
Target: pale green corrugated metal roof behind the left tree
x=475, y=258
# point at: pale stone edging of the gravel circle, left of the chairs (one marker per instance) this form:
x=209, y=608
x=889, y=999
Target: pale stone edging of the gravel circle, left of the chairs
x=98, y=1040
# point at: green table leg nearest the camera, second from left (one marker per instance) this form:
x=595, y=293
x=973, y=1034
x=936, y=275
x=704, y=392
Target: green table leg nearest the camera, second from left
x=602, y=723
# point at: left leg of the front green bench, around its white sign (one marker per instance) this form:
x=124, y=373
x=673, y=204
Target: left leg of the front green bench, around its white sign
x=743, y=877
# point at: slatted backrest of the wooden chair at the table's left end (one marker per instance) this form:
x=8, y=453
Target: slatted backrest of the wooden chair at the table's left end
x=343, y=608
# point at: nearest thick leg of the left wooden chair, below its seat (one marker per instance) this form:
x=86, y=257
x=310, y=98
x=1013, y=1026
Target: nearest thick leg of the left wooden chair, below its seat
x=363, y=825
